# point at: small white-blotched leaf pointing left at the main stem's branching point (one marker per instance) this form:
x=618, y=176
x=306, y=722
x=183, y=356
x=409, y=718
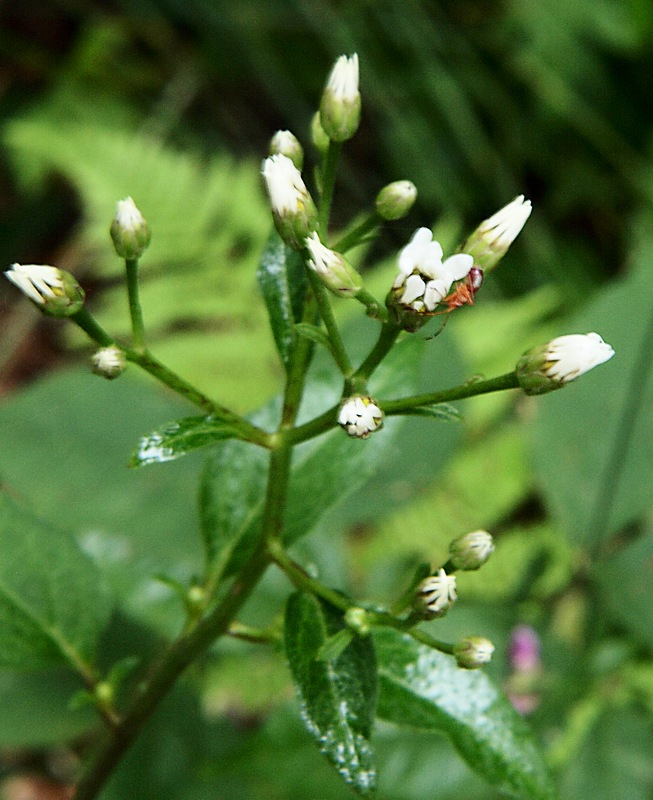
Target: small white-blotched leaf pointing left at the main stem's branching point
x=176, y=439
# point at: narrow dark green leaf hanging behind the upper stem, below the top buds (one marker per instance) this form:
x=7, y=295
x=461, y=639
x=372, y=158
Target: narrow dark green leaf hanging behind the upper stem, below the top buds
x=282, y=280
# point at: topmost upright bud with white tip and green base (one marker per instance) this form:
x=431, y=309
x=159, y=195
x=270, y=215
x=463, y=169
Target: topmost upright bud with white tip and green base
x=340, y=107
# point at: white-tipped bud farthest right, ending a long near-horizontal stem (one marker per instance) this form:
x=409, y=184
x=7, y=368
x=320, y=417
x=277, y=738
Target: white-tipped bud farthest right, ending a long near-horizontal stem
x=554, y=364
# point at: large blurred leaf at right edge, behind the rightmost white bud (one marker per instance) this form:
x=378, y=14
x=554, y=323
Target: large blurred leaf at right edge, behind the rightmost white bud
x=592, y=440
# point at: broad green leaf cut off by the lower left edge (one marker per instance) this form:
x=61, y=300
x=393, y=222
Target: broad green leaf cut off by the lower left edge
x=52, y=608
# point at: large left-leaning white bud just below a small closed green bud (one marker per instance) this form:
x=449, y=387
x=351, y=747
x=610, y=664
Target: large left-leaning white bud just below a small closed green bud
x=293, y=210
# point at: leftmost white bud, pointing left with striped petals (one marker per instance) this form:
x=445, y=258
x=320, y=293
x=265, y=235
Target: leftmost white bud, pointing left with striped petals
x=53, y=291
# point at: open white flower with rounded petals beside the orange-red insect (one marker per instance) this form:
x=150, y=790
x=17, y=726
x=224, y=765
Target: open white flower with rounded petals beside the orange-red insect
x=425, y=277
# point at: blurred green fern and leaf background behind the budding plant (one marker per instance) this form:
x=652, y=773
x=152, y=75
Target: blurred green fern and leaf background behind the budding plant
x=173, y=102
